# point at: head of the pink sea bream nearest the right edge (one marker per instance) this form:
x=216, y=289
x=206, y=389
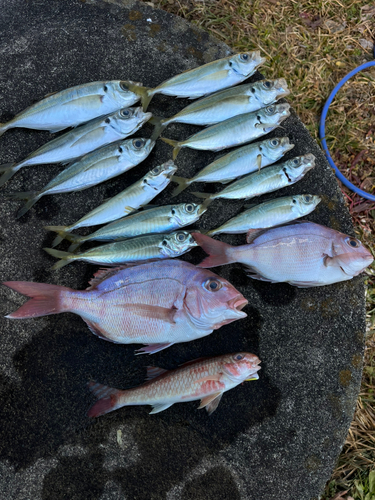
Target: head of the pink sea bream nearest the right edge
x=350, y=254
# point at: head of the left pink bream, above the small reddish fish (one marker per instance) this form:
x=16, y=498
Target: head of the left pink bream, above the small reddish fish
x=211, y=301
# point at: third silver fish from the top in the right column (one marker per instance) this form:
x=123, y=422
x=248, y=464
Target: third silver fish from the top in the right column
x=234, y=131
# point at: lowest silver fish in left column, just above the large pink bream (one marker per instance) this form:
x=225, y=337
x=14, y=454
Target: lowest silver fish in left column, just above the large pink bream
x=138, y=249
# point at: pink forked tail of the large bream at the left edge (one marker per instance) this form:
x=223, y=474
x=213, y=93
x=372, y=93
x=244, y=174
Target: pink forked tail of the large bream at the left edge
x=45, y=299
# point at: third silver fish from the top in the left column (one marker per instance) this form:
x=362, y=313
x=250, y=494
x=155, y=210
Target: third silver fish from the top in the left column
x=93, y=168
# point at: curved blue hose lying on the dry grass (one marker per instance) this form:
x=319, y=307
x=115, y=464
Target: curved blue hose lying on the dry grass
x=322, y=131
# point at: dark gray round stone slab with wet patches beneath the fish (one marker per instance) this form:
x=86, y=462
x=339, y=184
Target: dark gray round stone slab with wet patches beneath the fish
x=277, y=438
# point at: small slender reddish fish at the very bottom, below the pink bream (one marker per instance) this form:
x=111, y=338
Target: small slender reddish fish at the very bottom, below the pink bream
x=205, y=379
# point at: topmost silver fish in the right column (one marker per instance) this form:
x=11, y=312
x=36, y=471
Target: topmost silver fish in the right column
x=205, y=79
